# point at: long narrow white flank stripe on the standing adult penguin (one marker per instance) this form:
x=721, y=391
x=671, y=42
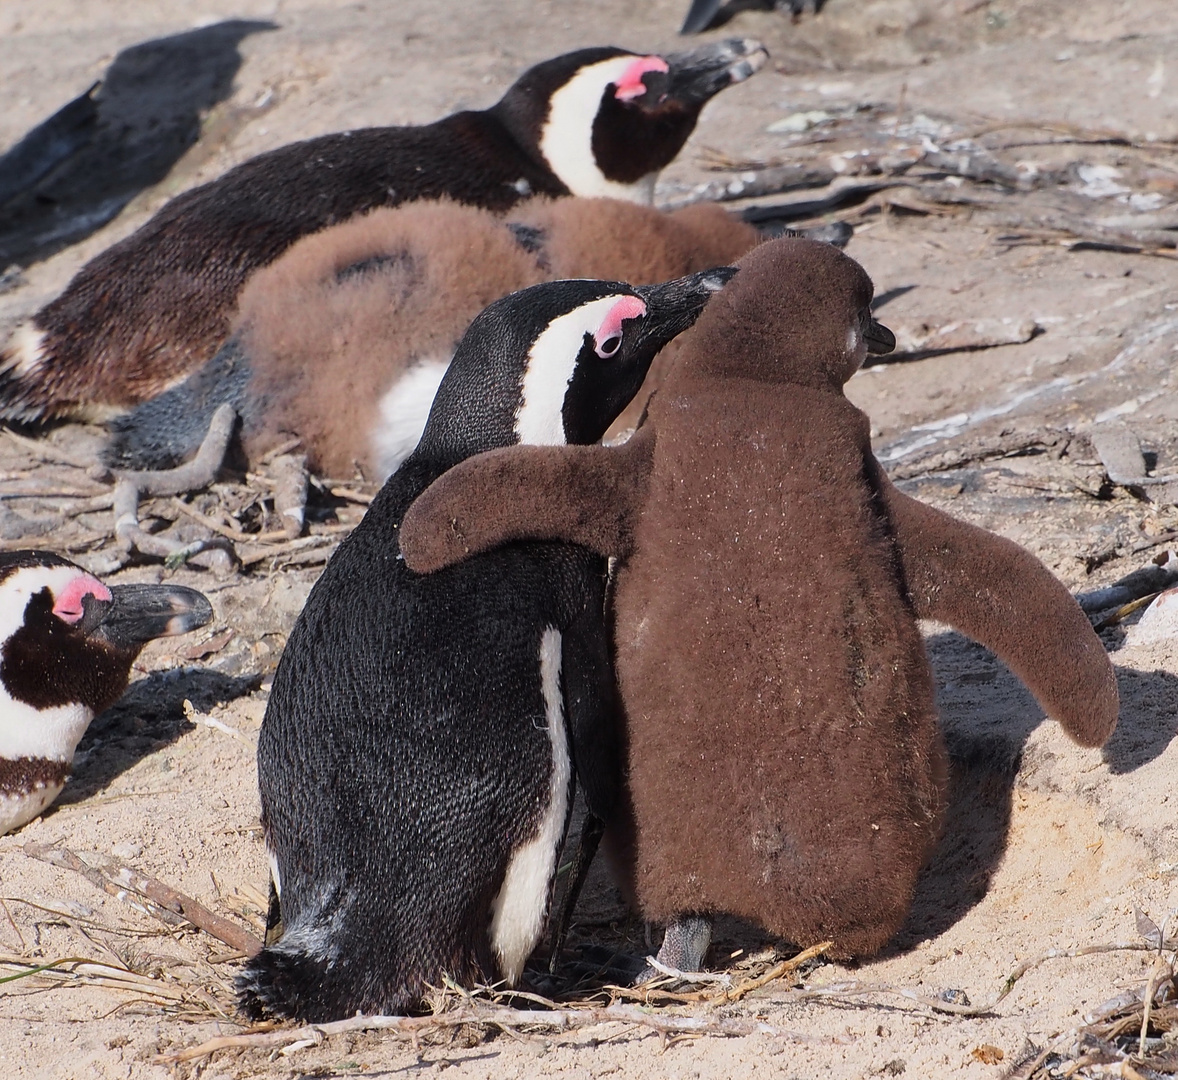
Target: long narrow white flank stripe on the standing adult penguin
x=518, y=915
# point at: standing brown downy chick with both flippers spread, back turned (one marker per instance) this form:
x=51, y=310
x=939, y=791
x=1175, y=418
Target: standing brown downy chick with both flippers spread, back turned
x=785, y=758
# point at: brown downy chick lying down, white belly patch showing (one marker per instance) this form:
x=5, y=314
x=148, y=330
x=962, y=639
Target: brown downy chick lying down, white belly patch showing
x=345, y=340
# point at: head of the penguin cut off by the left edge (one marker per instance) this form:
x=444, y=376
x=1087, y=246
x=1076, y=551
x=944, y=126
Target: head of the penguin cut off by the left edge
x=68, y=640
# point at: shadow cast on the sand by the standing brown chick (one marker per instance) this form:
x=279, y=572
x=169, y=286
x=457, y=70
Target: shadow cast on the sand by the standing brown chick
x=988, y=717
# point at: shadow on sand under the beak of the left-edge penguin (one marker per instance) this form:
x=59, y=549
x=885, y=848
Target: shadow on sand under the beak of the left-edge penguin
x=147, y=719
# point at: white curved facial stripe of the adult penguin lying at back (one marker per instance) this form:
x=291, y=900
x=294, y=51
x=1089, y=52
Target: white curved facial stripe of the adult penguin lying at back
x=567, y=138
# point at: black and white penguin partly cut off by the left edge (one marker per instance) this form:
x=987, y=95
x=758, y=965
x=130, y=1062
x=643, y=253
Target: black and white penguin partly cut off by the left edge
x=67, y=648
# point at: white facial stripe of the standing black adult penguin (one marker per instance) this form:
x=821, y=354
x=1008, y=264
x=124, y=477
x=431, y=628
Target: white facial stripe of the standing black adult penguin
x=552, y=362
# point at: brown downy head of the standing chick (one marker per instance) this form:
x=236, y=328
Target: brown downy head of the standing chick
x=799, y=313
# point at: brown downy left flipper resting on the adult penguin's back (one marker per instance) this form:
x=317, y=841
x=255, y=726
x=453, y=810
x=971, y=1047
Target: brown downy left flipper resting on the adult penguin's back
x=583, y=495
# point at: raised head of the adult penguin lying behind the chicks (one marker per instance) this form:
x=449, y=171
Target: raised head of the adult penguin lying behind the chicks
x=606, y=121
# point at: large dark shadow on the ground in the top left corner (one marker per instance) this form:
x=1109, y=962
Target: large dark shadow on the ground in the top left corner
x=149, y=114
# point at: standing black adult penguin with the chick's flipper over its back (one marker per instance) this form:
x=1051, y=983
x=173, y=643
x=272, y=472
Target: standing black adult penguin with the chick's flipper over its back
x=416, y=758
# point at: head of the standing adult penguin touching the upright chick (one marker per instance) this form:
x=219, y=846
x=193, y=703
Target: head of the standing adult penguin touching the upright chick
x=554, y=365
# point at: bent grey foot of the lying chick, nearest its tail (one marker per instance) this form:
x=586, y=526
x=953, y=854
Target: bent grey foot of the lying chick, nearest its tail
x=200, y=473
